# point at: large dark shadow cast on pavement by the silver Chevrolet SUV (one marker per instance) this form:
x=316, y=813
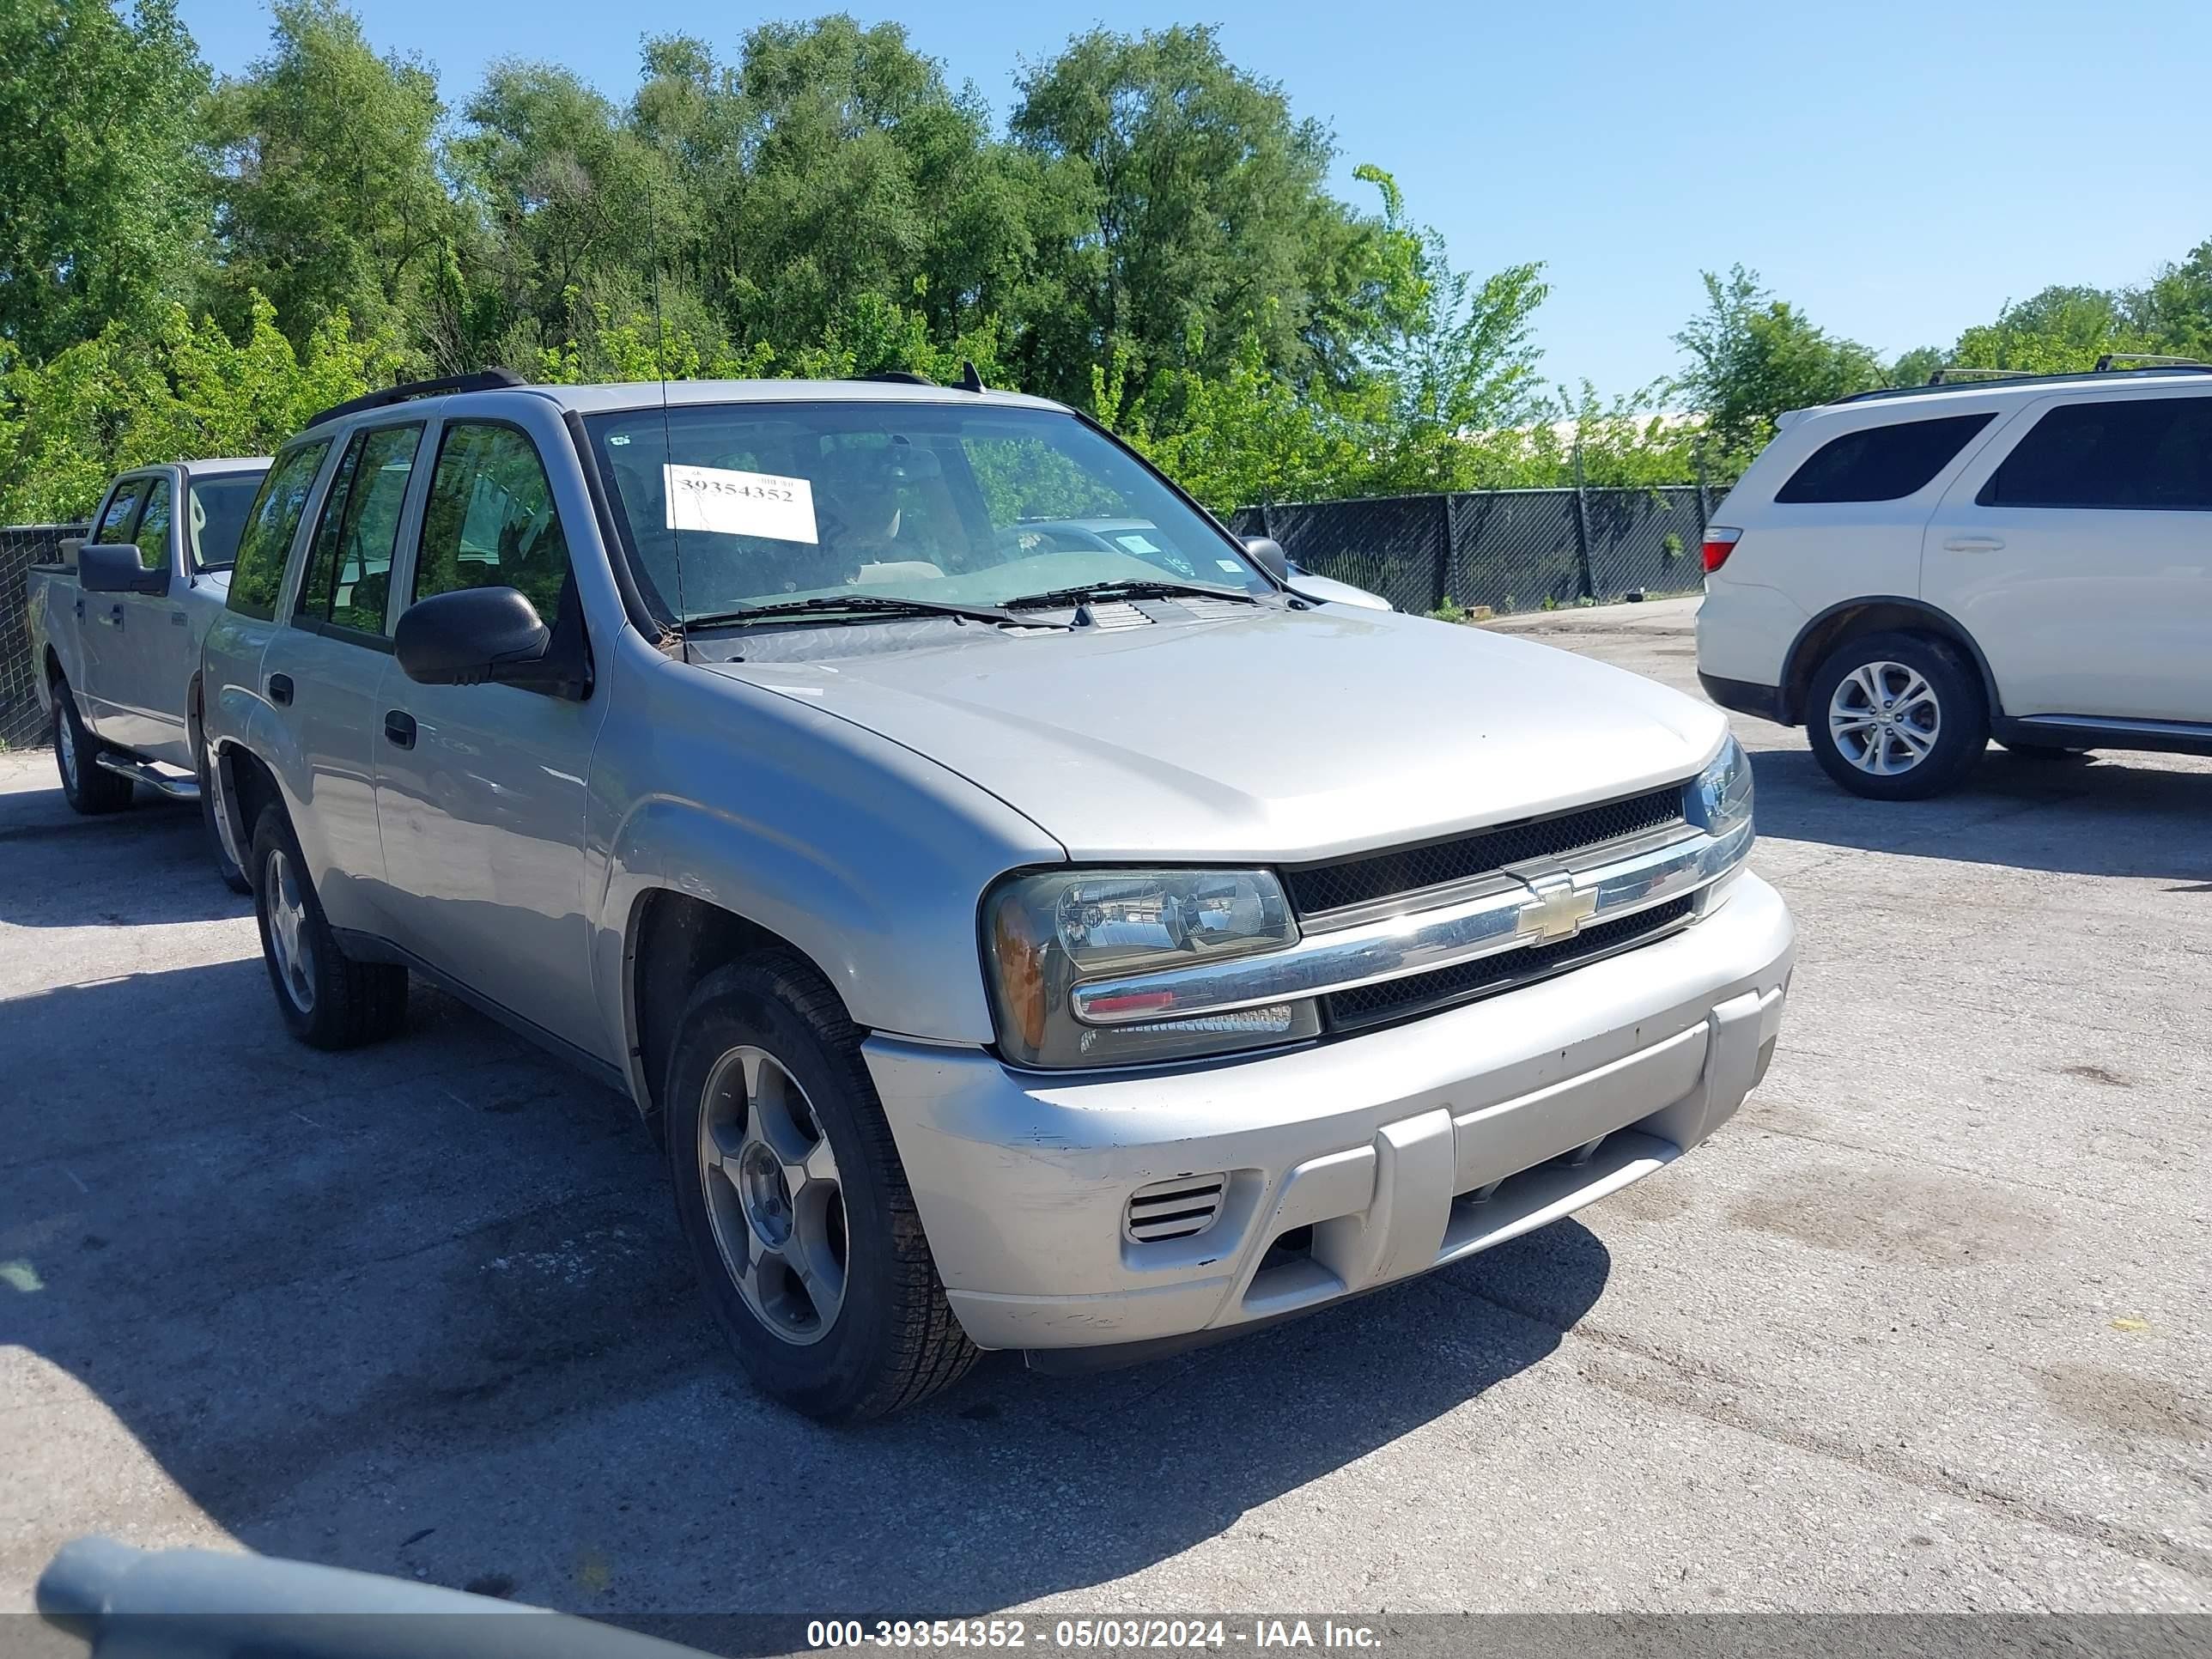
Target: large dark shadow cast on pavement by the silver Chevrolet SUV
x=424, y=1311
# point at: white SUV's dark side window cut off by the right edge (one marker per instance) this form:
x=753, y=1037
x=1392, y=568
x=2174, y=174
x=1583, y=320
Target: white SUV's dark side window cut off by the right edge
x=2116, y=452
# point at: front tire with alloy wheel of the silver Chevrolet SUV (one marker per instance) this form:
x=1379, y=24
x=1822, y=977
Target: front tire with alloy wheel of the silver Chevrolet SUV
x=766, y=1074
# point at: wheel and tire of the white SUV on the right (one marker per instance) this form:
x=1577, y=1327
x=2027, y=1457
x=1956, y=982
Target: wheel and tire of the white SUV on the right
x=1919, y=738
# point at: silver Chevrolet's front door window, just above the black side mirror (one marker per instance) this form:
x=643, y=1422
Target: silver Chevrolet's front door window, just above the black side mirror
x=490, y=521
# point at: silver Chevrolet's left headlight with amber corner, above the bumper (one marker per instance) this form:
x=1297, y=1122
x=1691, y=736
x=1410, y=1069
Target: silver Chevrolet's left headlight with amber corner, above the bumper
x=1043, y=935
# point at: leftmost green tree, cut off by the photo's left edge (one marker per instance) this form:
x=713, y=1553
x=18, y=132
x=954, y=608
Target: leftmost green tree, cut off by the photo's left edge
x=103, y=205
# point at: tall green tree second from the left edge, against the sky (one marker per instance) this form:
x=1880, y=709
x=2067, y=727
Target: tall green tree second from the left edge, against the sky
x=328, y=194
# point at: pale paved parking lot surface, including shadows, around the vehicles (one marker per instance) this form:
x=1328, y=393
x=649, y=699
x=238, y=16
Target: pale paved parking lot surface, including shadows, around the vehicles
x=1923, y=1328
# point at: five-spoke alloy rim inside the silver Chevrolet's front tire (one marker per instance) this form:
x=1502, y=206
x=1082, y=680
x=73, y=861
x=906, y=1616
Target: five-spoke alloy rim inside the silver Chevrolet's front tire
x=773, y=1196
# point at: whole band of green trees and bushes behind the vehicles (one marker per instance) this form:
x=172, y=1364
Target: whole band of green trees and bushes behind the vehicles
x=1149, y=236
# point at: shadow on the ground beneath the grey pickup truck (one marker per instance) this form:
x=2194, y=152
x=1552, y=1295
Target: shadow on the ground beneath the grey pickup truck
x=149, y=864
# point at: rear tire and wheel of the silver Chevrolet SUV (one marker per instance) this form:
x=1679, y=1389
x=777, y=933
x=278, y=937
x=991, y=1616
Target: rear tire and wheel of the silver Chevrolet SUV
x=326, y=999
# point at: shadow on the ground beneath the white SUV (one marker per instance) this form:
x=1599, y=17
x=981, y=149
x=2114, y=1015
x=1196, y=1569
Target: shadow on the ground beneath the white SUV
x=2087, y=817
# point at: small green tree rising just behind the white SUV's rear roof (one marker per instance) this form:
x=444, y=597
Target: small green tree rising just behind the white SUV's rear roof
x=1753, y=357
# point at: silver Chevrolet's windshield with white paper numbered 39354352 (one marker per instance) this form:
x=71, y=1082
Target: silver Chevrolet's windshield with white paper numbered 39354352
x=742, y=505
